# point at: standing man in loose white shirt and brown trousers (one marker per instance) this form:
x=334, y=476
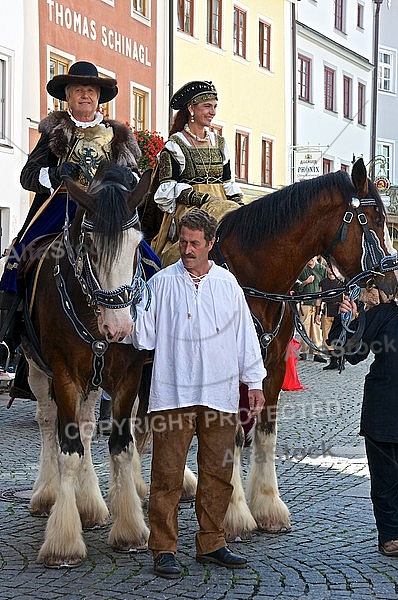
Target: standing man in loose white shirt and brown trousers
x=205, y=343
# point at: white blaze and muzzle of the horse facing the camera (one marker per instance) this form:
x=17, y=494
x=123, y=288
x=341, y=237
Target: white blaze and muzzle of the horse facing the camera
x=116, y=323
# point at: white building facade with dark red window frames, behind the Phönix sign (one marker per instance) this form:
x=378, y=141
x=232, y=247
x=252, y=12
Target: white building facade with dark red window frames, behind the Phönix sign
x=334, y=84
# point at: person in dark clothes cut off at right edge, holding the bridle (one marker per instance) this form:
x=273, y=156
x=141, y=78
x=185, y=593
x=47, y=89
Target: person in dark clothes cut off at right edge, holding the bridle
x=379, y=417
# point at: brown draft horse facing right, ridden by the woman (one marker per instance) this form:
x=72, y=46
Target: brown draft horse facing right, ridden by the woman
x=266, y=244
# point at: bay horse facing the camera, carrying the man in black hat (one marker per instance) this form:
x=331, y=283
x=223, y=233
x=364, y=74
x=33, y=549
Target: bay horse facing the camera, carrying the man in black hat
x=84, y=294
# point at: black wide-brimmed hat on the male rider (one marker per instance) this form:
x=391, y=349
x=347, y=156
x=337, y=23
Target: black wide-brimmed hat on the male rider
x=83, y=73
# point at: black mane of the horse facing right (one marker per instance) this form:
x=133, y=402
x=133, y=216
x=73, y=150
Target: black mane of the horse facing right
x=270, y=216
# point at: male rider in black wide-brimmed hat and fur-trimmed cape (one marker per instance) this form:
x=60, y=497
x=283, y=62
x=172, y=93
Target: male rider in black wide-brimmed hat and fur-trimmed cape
x=73, y=143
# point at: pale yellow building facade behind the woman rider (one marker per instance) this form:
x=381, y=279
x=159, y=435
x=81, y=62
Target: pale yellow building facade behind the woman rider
x=240, y=46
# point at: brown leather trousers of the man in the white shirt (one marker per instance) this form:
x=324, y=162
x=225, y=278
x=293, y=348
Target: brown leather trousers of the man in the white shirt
x=173, y=431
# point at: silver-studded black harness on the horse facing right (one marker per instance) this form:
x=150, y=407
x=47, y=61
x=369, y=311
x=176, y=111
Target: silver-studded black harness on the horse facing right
x=374, y=262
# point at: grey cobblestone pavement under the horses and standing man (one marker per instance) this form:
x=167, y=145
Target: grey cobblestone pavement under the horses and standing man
x=331, y=552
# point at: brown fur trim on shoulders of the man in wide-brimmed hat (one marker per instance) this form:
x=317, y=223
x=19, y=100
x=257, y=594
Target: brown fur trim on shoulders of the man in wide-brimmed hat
x=60, y=129
